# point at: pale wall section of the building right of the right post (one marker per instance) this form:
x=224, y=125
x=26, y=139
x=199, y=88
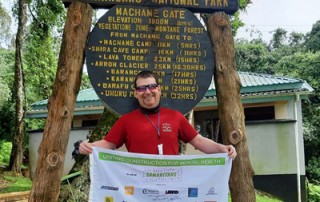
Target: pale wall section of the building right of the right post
x=272, y=148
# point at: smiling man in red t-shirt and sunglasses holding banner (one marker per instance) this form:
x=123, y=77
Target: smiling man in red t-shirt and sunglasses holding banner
x=152, y=129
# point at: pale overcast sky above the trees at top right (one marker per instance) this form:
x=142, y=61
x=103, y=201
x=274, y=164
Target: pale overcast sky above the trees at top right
x=268, y=15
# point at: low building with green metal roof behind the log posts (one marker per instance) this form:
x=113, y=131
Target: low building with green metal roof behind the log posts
x=273, y=121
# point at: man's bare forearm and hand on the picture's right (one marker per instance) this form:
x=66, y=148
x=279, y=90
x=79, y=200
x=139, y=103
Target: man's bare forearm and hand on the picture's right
x=209, y=146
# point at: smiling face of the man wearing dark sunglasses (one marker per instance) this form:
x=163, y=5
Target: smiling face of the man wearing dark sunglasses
x=148, y=97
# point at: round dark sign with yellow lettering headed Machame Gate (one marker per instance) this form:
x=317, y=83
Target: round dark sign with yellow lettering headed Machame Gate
x=169, y=41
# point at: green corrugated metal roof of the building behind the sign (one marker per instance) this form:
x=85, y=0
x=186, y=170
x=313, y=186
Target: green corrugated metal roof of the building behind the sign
x=255, y=88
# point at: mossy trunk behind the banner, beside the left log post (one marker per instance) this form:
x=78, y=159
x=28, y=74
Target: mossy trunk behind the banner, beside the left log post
x=77, y=189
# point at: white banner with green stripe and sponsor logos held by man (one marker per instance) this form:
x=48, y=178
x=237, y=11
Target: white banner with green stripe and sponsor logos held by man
x=129, y=177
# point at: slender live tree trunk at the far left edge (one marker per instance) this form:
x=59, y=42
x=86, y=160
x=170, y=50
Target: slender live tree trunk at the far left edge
x=17, y=144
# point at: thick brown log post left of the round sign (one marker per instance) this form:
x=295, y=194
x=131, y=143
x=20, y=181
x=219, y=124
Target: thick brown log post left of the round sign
x=46, y=184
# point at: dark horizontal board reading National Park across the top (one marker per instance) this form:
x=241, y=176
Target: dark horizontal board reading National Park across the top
x=203, y=6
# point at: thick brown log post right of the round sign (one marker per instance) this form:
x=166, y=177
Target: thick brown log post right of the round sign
x=231, y=113
